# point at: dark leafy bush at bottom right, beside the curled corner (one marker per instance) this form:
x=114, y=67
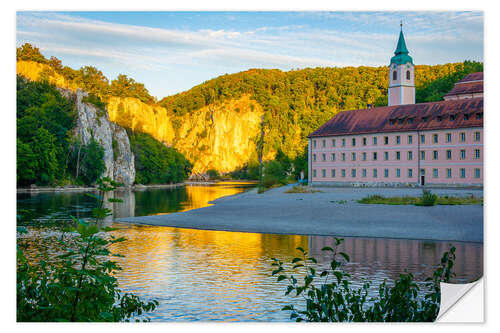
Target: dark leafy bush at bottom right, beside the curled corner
x=333, y=298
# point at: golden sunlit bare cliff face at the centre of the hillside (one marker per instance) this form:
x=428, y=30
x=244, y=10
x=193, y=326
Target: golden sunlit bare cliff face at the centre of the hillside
x=220, y=137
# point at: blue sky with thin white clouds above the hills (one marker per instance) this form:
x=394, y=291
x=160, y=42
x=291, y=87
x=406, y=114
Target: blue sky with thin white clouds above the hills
x=173, y=51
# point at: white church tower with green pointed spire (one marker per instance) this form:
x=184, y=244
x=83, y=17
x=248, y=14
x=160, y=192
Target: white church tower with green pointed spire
x=401, y=75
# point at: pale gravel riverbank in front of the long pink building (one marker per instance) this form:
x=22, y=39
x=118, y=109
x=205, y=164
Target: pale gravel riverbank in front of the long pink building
x=332, y=212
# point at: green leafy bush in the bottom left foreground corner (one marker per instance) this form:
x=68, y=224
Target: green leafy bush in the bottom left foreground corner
x=80, y=285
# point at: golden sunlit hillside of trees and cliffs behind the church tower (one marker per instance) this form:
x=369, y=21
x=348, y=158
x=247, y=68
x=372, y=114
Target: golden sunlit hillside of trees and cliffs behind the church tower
x=216, y=125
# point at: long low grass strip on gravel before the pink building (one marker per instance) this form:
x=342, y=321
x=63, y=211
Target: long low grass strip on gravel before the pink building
x=422, y=201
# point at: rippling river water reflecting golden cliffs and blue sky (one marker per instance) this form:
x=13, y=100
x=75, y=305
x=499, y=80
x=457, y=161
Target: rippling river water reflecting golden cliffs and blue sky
x=199, y=275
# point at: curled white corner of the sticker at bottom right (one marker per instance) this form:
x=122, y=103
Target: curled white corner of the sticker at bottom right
x=462, y=303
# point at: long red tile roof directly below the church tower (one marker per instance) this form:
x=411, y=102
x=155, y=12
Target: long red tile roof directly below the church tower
x=450, y=114
